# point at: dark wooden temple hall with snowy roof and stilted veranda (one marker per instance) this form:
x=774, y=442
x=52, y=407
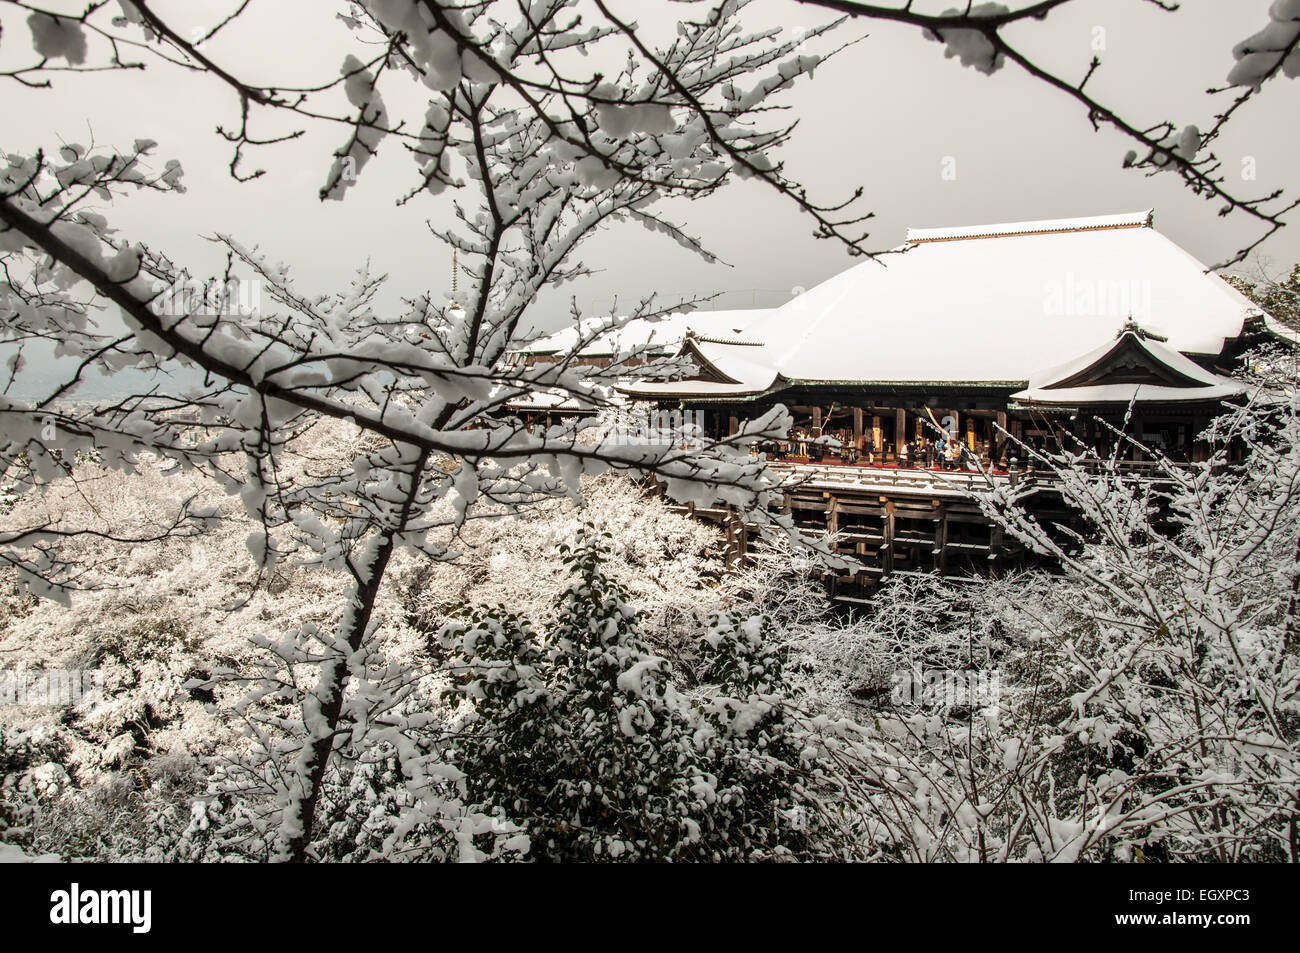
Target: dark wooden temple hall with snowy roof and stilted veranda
x=954, y=349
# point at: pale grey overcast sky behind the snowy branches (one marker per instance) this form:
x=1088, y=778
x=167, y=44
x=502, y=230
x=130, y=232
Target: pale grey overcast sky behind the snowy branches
x=885, y=115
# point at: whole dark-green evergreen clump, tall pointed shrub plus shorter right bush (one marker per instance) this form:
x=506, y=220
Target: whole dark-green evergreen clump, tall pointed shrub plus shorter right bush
x=579, y=734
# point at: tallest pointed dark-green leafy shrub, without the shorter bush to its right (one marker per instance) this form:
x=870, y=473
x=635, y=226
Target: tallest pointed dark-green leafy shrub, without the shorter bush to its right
x=583, y=738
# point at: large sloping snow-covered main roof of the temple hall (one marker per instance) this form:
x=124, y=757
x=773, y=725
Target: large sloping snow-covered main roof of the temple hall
x=986, y=305
